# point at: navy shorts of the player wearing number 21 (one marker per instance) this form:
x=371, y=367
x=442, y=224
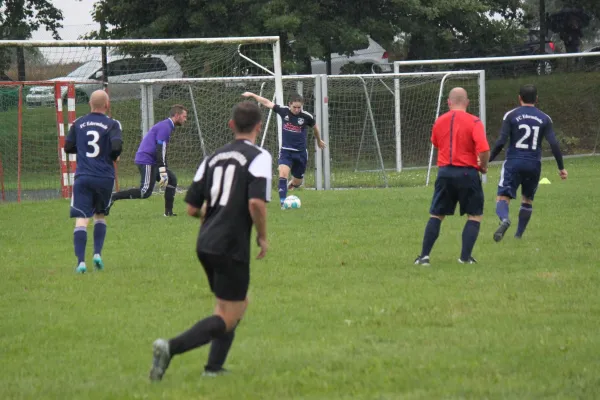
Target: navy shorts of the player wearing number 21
x=515, y=173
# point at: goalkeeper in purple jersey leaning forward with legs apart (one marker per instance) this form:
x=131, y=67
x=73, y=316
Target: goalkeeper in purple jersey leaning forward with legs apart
x=151, y=159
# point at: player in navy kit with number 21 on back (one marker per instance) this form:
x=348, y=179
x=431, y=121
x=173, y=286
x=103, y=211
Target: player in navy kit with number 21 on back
x=524, y=127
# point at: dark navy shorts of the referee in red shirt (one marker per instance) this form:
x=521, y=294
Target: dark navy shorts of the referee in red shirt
x=460, y=185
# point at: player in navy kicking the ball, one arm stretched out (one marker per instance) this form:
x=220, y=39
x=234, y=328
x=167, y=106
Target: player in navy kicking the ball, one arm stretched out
x=293, y=155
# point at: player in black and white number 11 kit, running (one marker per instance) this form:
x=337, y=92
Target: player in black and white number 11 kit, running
x=229, y=192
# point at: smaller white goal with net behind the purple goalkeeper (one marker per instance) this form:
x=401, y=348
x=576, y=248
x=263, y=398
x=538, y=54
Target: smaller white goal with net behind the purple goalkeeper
x=210, y=101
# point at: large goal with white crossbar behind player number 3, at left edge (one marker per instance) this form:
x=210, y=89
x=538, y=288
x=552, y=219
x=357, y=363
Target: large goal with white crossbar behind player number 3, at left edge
x=28, y=97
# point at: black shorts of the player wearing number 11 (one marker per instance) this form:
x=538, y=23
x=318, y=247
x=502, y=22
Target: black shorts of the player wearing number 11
x=229, y=279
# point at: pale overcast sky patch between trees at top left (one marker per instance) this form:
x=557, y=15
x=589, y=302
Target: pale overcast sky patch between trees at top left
x=77, y=20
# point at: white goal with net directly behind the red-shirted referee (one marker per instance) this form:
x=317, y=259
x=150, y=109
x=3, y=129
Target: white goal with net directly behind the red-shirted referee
x=379, y=125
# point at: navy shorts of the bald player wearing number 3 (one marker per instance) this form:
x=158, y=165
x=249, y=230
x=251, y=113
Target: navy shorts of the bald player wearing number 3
x=91, y=195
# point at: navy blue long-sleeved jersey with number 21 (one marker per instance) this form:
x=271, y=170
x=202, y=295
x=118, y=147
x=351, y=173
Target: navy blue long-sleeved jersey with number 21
x=524, y=128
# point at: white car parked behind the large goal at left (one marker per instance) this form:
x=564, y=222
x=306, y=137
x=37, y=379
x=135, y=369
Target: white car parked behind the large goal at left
x=123, y=73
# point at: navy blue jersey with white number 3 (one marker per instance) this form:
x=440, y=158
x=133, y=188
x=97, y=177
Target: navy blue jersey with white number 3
x=96, y=139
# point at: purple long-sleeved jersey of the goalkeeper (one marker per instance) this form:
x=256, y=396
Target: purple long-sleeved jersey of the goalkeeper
x=154, y=144
